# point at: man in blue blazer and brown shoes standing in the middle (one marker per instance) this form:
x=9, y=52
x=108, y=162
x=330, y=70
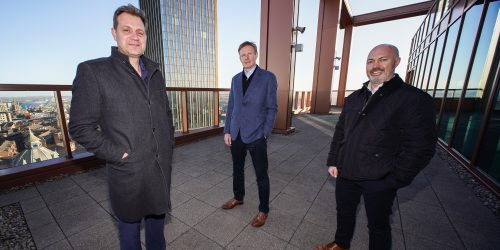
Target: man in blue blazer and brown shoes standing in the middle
x=251, y=110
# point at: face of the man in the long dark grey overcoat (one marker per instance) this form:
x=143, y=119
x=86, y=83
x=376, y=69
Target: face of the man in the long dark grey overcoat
x=130, y=35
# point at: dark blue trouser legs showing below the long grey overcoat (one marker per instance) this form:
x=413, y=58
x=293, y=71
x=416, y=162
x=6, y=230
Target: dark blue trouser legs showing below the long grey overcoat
x=130, y=237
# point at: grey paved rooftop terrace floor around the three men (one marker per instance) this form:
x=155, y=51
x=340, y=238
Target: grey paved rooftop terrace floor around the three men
x=437, y=211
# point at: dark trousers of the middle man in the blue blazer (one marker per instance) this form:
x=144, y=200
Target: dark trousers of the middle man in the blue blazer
x=258, y=152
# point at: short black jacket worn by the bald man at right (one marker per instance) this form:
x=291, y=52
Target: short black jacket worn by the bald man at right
x=391, y=136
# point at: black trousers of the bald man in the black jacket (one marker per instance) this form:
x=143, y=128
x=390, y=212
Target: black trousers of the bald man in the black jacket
x=378, y=199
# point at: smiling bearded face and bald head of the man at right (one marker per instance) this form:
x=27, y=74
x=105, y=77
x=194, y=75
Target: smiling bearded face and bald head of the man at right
x=381, y=64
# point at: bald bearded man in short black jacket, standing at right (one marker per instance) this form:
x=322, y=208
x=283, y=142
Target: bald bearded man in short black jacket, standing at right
x=384, y=137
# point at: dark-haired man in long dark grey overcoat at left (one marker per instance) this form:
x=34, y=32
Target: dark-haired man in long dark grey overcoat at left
x=120, y=112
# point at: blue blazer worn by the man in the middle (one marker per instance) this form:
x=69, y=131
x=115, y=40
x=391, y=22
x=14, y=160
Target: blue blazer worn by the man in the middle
x=252, y=114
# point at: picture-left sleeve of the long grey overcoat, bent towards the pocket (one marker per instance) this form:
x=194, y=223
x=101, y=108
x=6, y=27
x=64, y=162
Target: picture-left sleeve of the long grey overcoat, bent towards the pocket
x=85, y=117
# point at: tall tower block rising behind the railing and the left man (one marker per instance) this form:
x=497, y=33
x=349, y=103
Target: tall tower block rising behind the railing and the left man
x=182, y=38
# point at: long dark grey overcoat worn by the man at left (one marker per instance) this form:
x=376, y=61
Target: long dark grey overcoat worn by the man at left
x=112, y=112
